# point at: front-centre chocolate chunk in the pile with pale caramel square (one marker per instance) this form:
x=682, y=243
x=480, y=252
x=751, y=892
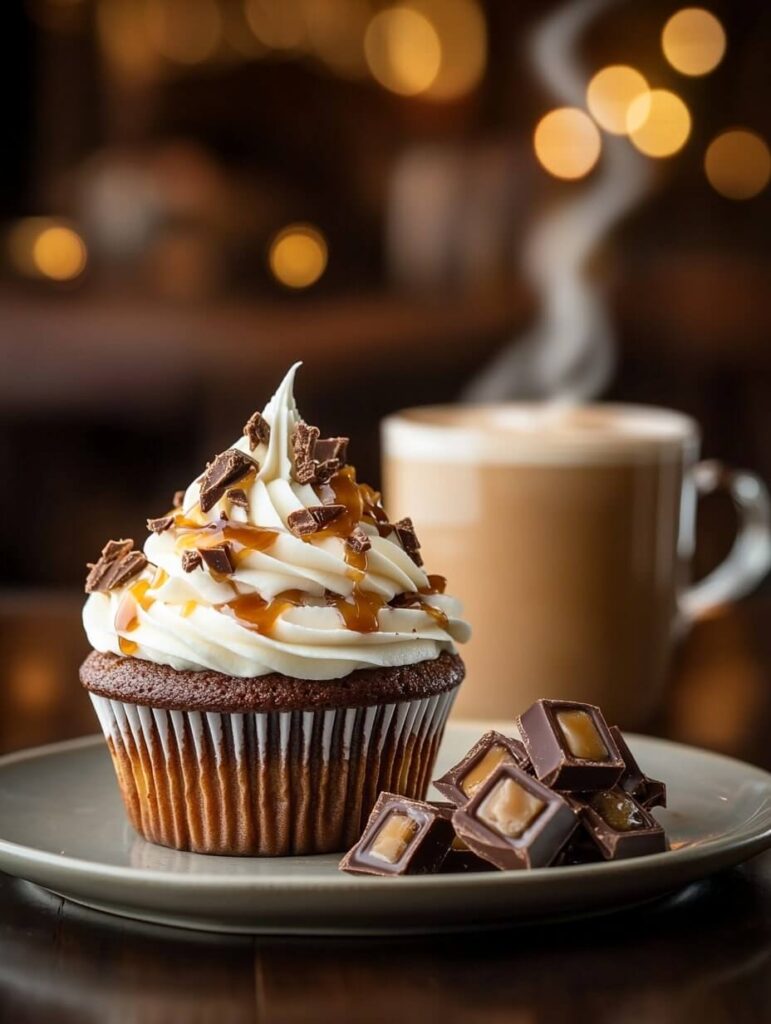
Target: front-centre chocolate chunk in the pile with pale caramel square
x=515, y=822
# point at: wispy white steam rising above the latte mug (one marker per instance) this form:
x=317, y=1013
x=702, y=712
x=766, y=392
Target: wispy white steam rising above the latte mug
x=569, y=356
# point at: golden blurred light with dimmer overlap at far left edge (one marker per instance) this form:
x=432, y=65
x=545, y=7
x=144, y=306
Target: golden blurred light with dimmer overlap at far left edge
x=44, y=247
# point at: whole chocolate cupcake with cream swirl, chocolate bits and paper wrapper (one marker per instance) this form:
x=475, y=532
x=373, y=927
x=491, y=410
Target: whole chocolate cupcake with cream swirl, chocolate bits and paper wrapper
x=275, y=657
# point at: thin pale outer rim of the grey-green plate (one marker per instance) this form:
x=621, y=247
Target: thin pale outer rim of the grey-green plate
x=749, y=841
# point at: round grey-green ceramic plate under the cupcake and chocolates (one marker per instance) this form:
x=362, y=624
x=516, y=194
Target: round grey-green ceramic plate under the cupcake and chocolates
x=62, y=826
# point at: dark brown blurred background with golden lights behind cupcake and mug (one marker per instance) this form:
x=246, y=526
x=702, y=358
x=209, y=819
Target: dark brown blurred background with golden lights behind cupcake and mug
x=426, y=201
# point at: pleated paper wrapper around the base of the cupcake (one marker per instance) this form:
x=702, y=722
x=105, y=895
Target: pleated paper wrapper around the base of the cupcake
x=268, y=785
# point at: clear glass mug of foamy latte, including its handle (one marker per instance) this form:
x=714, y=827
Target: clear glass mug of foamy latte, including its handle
x=569, y=534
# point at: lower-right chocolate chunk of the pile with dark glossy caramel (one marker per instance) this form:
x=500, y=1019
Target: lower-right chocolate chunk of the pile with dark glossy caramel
x=620, y=826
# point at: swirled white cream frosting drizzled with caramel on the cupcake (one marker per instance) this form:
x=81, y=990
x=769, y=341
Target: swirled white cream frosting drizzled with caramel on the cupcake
x=310, y=607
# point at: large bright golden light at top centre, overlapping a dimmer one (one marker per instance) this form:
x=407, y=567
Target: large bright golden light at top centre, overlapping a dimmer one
x=403, y=51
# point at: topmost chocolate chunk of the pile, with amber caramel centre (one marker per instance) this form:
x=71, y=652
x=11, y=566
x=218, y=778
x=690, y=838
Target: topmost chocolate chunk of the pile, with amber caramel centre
x=571, y=746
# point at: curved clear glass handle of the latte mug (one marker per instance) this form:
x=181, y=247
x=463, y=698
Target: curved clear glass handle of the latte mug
x=750, y=559
